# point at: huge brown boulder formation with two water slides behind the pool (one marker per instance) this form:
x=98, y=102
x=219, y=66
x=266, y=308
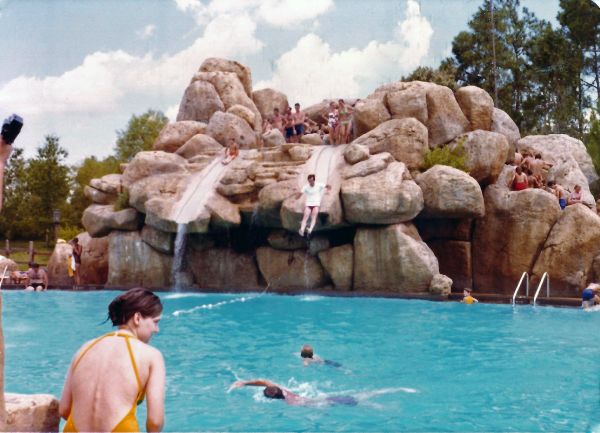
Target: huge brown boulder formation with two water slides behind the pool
x=387, y=223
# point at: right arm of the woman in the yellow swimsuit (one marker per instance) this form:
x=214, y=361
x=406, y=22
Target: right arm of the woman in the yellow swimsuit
x=155, y=394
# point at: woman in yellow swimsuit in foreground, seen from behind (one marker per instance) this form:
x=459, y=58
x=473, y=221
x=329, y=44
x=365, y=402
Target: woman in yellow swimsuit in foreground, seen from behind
x=110, y=375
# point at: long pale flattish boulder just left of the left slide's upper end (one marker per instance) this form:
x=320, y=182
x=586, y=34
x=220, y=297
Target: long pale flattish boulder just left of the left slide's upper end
x=151, y=163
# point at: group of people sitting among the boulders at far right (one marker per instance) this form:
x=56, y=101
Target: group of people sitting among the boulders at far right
x=531, y=172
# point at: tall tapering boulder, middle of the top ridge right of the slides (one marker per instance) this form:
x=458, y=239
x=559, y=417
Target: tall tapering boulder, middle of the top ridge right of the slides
x=446, y=120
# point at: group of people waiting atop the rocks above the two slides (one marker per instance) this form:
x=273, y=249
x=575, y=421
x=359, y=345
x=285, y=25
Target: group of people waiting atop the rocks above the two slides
x=336, y=129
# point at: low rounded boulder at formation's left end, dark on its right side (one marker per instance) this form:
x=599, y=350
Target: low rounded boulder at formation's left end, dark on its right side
x=100, y=220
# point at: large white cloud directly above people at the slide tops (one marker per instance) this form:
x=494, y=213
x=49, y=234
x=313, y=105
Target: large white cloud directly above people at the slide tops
x=310, y=71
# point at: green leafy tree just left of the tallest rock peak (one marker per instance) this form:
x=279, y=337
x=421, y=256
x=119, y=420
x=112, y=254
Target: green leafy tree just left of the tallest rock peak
x=140, y=134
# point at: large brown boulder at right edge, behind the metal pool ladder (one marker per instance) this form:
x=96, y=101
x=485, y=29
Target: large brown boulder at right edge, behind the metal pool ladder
x=569, y=251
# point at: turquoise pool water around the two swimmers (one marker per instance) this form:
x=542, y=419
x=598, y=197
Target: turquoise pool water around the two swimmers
x=472, y=368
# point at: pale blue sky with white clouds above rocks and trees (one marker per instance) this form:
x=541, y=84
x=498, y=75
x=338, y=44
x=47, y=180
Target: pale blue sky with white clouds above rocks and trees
x=81, y=69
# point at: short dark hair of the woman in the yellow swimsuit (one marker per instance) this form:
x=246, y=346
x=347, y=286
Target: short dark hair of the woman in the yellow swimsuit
x=137, y=300
